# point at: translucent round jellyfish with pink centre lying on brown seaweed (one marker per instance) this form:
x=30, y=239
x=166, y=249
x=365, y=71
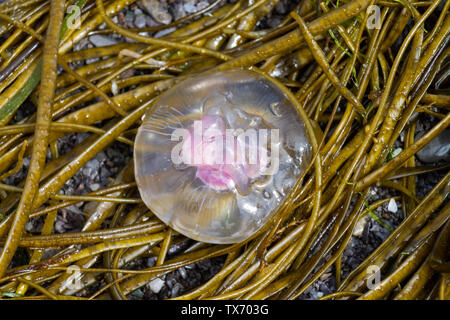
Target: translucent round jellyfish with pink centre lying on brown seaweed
x=217, y=154
